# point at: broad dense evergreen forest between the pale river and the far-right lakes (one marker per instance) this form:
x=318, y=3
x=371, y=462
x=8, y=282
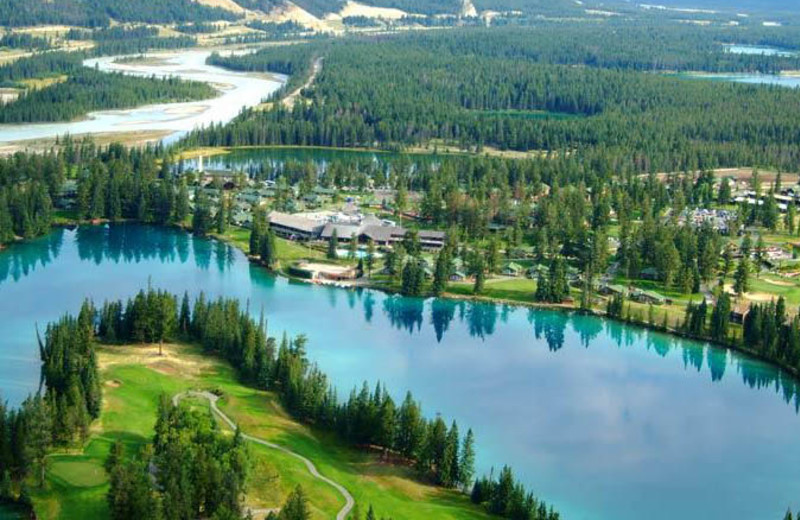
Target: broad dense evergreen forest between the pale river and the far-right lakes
x=369, y=92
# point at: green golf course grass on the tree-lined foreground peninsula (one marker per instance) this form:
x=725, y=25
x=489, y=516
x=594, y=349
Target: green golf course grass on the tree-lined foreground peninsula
x=135, y=377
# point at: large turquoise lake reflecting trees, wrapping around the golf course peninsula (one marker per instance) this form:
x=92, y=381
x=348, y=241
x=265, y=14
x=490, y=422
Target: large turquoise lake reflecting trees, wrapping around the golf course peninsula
x=606, y=421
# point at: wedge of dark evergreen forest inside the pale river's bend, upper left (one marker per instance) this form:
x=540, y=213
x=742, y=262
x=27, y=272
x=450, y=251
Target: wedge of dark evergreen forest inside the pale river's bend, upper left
x=86, y=90
